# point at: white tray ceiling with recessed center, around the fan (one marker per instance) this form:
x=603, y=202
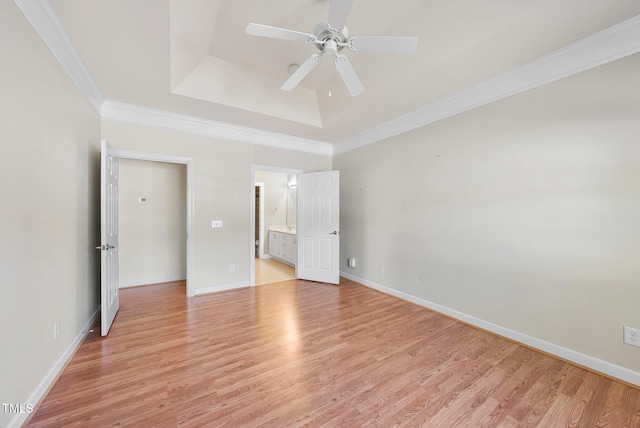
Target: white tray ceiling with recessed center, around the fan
x=192, y=59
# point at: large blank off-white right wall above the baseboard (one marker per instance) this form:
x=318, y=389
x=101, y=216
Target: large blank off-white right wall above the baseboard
x=522, y=214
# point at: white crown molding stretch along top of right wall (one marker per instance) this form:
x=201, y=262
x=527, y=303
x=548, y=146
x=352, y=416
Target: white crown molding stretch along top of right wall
x=600, y=48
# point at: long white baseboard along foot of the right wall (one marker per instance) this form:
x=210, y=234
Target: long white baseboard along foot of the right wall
x=583, y=360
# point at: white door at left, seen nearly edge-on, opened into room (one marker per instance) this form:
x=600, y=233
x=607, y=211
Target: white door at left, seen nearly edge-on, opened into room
x=109, y=294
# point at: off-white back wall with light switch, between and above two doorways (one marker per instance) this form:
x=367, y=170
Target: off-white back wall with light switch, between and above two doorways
x=224, y=190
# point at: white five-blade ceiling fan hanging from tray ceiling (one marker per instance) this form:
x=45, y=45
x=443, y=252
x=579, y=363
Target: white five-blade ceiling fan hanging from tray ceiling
x=330, y=37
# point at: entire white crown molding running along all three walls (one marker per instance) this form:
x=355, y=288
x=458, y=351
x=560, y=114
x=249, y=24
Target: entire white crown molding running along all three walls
x=603, y=47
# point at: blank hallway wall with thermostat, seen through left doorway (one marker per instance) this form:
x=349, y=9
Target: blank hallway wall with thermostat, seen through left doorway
x=152, y=238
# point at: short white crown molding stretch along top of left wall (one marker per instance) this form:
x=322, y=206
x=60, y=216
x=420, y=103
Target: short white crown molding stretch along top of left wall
x=42, y=16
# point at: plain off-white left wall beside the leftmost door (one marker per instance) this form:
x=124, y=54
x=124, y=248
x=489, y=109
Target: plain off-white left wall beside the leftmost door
x=49, y=170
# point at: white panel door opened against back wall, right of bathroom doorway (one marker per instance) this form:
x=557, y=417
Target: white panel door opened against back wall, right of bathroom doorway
x=319, y=227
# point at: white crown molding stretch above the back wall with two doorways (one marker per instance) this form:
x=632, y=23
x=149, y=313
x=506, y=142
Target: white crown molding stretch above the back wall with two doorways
x=131, y=114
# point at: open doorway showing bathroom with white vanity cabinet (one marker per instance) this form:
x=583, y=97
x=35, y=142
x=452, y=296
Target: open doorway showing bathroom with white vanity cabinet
x=273, y=208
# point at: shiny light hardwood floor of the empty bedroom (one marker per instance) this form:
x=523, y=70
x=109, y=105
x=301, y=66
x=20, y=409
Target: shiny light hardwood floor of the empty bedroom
x=299, y=353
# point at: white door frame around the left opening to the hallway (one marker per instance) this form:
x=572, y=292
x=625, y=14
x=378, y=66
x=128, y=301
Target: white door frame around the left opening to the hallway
x=190, y=164
